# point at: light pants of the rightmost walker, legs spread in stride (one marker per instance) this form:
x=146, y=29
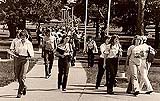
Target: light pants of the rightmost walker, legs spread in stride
x=144, y=78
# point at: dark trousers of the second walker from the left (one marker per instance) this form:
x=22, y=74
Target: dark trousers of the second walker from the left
x=48, y=61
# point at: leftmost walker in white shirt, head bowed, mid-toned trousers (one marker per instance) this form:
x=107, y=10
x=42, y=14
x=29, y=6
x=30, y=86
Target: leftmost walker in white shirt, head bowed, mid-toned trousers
x=24, y=51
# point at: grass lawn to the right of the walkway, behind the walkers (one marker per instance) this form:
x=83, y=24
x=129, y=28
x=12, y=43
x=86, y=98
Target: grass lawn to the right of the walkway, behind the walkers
x=154, y=77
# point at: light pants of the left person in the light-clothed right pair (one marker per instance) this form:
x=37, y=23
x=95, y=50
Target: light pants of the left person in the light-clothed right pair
x=134, y=76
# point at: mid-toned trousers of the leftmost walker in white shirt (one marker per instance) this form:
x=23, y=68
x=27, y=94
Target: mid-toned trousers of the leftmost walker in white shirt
x=21, y=71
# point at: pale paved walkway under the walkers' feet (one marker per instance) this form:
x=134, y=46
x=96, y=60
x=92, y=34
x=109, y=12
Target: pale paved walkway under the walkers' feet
x=41, y=89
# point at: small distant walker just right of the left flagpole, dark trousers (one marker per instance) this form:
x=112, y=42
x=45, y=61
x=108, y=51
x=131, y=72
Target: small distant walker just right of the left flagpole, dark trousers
x=91, y=49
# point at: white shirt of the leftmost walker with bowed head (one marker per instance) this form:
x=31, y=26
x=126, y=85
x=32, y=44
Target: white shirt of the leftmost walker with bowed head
x=24, y=49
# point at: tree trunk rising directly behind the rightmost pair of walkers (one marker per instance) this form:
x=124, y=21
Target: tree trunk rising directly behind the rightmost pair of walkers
x=140, y=20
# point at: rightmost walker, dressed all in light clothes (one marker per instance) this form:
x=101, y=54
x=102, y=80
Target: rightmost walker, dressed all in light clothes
x=145, y=66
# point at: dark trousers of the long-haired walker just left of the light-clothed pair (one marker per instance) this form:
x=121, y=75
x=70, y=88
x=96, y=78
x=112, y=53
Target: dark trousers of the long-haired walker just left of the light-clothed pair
x=112, y=65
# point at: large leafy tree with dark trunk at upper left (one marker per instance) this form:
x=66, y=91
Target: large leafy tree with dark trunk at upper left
x=18, y=11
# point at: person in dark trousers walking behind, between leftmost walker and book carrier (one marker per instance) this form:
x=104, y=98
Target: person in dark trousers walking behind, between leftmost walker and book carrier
x=50, y=45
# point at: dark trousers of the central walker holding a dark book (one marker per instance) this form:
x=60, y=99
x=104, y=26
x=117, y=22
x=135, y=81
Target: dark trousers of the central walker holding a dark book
x=63, y=69
